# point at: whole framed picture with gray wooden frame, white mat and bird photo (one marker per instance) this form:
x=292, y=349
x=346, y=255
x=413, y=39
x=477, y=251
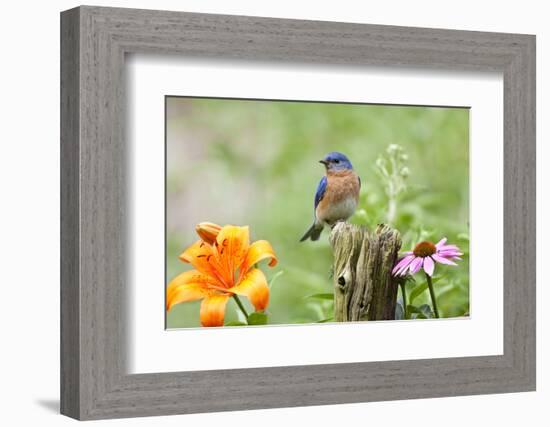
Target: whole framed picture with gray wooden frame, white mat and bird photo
x=262, y=213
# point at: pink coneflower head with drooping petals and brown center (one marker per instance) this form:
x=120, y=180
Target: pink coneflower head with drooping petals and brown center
x=425, y=255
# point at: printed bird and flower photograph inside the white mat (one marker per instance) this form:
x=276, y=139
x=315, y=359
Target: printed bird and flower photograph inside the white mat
x=396, y=170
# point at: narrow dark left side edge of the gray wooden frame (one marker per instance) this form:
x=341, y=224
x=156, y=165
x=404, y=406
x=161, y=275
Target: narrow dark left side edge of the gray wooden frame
x=70, y=291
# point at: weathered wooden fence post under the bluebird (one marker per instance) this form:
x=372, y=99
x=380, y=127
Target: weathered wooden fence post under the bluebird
x=364, y=288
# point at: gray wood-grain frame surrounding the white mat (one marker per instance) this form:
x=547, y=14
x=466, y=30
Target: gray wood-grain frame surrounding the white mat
x=94, y=41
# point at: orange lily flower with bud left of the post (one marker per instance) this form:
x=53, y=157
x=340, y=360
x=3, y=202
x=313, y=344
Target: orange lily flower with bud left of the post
x=223, y=261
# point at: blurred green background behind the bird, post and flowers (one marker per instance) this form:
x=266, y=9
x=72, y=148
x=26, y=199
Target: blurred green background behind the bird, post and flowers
x=248, y=162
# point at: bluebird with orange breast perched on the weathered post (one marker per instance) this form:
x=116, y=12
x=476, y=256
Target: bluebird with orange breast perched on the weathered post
x=337, y=194
